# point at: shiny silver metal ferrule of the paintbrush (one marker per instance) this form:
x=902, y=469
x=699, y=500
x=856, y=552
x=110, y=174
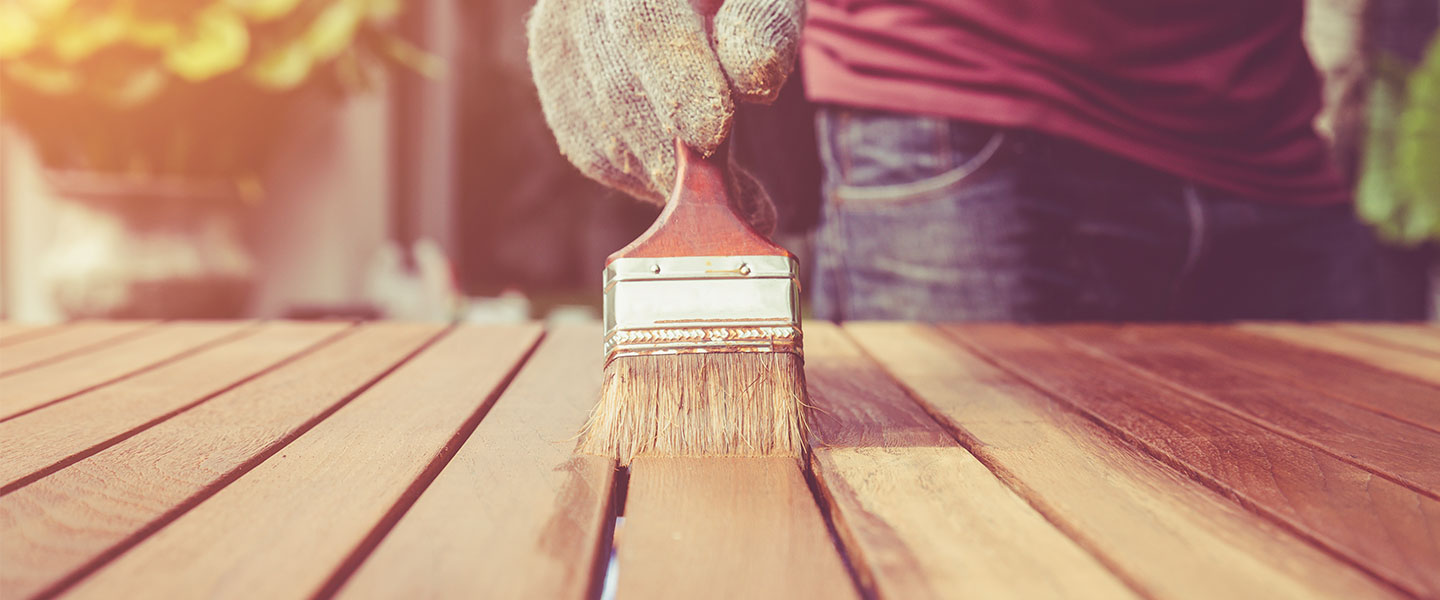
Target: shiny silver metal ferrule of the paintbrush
x=702, y=304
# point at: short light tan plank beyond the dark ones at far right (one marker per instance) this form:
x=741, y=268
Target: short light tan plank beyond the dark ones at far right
x=1385, y=356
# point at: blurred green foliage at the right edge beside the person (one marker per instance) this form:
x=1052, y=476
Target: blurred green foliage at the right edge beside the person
x=1400, y=181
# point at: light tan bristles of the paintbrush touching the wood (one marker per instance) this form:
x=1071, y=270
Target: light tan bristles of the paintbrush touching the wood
x=699, y=405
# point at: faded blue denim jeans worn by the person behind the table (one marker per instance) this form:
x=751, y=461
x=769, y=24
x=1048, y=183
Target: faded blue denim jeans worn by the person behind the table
x=938, y=219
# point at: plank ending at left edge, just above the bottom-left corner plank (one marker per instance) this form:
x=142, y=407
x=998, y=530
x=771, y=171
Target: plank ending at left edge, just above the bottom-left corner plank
x=37, y=442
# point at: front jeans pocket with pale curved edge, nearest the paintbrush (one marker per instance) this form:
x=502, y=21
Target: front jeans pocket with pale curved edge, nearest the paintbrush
x=885, y=183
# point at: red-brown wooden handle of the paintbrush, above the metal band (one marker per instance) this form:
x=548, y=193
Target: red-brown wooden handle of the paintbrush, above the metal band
x=701, y=218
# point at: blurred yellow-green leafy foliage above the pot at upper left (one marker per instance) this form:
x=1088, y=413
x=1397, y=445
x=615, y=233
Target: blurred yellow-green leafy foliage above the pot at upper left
x=181, y=87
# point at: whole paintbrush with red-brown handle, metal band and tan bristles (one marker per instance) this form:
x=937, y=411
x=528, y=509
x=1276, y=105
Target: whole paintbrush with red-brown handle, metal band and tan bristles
x=702, y=333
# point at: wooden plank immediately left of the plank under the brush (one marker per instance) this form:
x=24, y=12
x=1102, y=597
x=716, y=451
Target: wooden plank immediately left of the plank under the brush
x=516, y=513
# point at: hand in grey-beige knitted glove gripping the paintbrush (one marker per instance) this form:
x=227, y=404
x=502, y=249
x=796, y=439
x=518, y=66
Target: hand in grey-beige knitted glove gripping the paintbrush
x=620, y=80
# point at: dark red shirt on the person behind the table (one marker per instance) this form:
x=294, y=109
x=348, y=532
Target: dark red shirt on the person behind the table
x=1216, y=91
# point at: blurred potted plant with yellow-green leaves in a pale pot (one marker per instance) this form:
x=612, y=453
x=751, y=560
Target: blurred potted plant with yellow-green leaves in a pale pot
x=155, y=122
